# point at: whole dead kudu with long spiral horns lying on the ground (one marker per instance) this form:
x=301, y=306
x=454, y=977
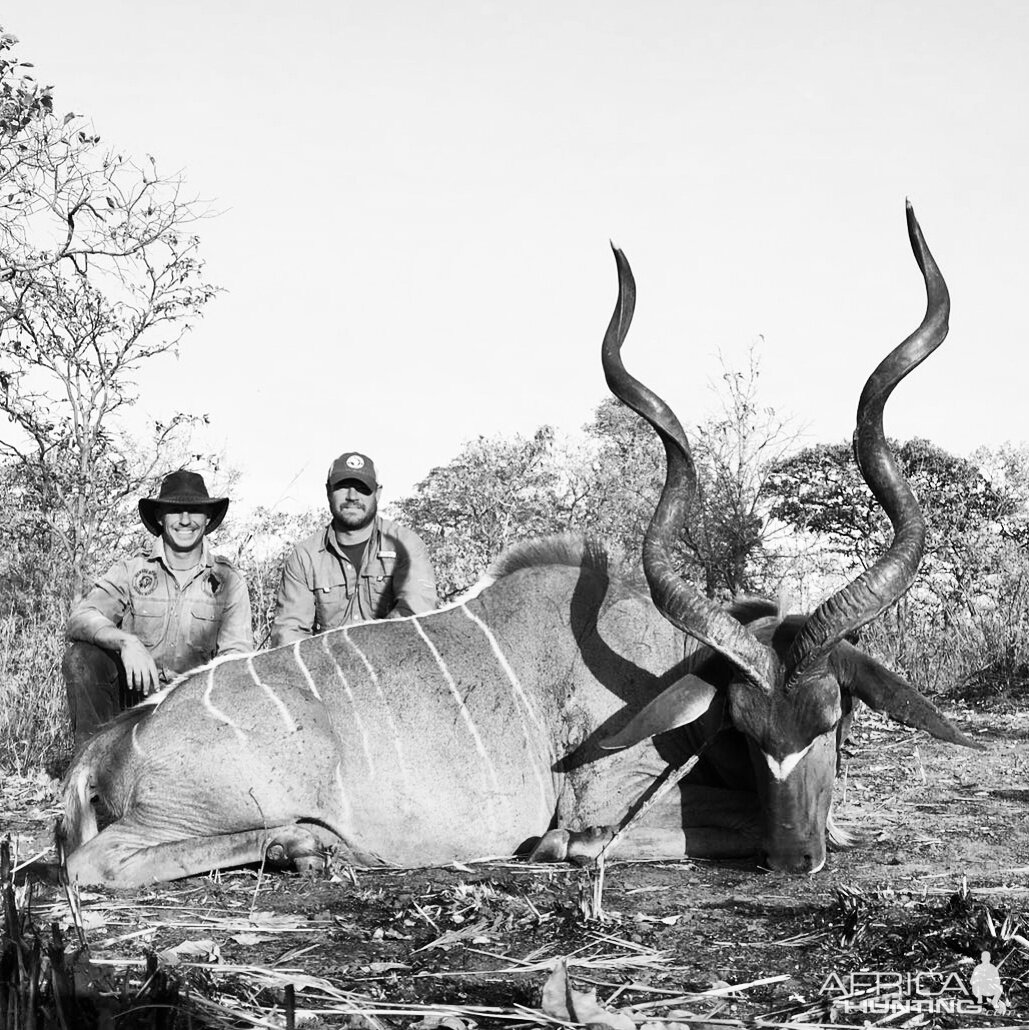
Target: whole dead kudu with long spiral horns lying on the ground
x=469, y=732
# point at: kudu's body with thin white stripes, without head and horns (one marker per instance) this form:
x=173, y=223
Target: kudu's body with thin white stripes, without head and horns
x=462, y=734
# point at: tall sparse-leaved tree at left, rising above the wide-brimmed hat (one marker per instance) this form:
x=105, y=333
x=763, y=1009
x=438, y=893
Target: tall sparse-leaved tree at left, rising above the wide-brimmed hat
x=99, y=274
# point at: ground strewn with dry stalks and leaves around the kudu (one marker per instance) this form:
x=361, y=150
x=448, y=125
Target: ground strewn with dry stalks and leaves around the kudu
x=942, y=875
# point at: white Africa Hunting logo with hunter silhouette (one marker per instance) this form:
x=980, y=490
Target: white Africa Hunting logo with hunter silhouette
x=938, y=993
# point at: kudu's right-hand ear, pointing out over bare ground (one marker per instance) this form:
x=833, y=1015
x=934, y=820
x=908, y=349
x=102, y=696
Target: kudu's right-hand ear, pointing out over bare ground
x=885, y=692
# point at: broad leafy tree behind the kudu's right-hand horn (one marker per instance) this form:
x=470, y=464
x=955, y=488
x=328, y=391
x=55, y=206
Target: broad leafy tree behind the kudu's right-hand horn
x=968, y=615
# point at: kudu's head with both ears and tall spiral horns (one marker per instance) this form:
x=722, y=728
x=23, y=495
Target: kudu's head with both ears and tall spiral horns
x=793, y=679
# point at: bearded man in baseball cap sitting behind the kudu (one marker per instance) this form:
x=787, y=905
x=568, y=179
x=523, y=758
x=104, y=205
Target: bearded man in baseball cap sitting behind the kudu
x=361, y=567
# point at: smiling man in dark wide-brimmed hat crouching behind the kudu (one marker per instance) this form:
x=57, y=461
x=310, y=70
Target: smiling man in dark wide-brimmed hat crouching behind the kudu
x=158, y=614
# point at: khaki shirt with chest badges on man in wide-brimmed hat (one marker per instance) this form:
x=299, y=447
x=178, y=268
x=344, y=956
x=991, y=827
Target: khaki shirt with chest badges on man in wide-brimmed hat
x=182, y=627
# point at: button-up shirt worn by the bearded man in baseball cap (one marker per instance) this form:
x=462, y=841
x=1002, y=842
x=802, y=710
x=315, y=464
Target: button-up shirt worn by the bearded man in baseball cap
x=322, y=591
